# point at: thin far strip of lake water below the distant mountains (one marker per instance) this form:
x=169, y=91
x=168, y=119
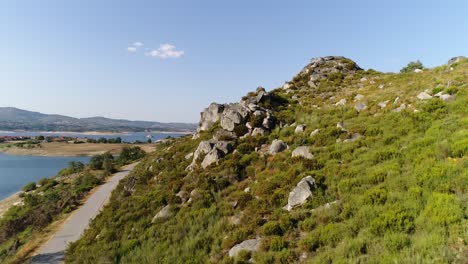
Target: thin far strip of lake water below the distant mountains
x=126, y=137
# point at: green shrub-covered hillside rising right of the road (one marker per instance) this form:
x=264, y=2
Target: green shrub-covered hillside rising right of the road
x=395, y=192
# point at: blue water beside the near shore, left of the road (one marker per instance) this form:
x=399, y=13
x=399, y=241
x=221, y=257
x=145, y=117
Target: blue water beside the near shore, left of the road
x=17, y=171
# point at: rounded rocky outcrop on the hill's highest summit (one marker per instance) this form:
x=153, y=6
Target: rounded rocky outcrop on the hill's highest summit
x=321, y=68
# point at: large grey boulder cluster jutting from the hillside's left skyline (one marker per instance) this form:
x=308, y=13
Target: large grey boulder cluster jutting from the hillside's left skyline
x=240, y=119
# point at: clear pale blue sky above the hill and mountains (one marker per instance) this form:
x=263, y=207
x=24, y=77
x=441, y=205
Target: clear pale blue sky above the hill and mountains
x=72, y=57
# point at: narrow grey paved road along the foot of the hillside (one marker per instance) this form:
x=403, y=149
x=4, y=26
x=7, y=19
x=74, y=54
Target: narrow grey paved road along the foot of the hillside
x=54, y=250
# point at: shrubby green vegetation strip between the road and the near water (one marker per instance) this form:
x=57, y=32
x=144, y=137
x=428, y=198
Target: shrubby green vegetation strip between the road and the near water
x=50, y=198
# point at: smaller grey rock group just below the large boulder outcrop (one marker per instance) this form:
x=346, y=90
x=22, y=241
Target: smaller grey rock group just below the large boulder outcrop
x=211, y=151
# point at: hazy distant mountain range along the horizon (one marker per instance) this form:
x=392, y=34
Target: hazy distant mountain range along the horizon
x=17, y=119
